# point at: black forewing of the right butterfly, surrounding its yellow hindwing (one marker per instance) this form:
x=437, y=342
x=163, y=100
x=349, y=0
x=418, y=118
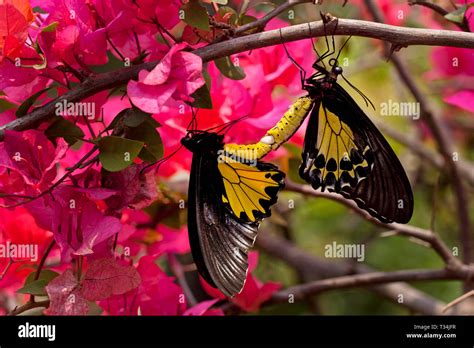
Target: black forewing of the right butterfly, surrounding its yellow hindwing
x=386, y=192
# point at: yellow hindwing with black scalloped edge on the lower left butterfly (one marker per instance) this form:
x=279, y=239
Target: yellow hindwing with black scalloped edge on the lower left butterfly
x=248, y=189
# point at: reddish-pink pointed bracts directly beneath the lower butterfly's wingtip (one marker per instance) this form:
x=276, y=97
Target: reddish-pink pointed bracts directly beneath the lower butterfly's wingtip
x=254, y=292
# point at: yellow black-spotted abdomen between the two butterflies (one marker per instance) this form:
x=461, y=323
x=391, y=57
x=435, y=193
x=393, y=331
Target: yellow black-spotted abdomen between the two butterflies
x=277, y=135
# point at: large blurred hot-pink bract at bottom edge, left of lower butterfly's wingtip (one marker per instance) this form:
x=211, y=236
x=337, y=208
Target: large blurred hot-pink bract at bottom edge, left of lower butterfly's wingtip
x=157, y=294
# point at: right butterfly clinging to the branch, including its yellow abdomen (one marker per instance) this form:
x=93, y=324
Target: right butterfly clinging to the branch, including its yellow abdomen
x=343, y=151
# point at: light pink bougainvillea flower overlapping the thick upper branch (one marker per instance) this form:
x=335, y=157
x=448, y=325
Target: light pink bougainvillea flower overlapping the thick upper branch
x=177, y=76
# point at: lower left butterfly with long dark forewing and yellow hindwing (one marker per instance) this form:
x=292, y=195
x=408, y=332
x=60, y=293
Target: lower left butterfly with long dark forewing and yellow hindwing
x=227, y=200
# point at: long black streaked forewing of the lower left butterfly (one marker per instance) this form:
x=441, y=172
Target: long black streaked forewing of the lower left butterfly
x=219, y=240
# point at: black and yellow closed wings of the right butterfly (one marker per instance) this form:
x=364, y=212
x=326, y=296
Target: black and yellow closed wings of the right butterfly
x=348, y=155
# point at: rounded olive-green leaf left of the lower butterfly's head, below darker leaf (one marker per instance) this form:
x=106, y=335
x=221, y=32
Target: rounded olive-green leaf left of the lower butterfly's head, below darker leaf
x=118, y=153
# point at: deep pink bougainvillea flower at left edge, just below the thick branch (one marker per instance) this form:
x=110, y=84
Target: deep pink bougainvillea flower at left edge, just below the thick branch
x=32, y=156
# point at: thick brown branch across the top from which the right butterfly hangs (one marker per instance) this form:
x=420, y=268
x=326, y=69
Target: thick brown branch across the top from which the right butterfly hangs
x=399, y=36
